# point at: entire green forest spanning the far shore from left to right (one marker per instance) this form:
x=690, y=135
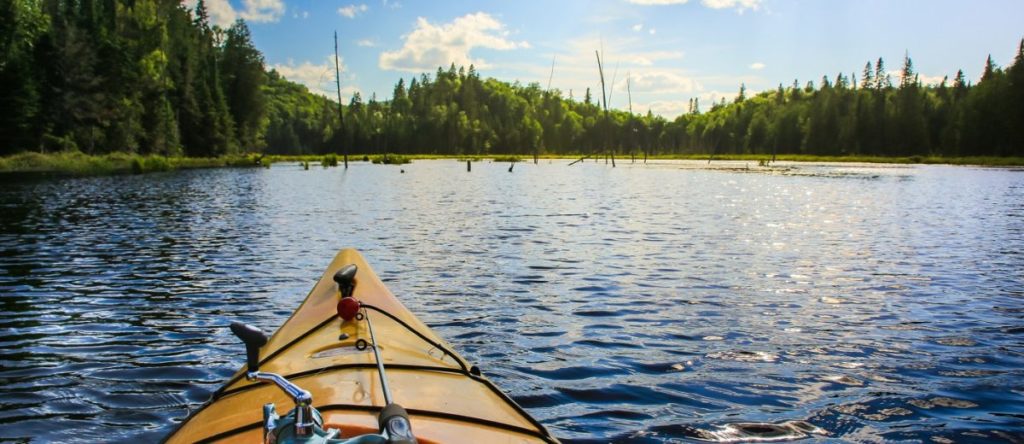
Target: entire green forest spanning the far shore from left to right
x=153, y=77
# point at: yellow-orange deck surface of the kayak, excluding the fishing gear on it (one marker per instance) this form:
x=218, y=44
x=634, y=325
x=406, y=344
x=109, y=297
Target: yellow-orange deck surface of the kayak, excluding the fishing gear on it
x=446, y=397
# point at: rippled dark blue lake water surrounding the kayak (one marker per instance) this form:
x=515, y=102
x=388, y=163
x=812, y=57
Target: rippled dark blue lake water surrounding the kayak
x=658, y=303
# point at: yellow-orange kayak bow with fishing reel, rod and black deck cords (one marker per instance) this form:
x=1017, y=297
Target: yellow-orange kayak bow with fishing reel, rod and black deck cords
x=354, y=366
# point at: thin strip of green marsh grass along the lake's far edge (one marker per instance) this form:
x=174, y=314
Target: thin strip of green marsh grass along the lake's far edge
x=78, y=164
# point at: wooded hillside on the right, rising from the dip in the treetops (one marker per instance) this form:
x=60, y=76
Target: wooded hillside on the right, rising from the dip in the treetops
x=877, y=119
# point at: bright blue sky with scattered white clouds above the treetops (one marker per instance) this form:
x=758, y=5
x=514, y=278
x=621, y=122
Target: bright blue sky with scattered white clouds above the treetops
x=669, y=52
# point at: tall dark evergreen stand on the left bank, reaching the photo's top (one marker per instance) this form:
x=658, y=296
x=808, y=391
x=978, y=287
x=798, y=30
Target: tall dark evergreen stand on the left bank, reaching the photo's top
x=135, y=76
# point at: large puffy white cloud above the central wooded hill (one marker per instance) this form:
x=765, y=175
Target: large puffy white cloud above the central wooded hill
x=430, y=47
